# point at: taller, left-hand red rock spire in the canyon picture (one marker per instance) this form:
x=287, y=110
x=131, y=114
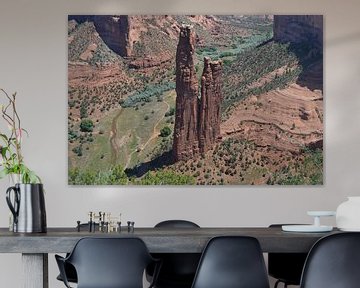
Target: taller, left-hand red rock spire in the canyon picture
x=185, y=143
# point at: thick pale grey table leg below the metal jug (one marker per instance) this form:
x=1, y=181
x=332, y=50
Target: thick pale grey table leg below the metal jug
x=35, y=270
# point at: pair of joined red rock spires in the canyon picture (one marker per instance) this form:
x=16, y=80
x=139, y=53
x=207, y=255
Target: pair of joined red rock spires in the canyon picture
x=197, y=121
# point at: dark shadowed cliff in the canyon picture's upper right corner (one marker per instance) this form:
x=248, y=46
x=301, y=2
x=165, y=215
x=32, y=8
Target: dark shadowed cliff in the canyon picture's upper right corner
x=299, y=28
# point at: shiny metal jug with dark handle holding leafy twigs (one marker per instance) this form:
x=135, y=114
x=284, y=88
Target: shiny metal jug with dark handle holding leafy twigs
x=28, y=208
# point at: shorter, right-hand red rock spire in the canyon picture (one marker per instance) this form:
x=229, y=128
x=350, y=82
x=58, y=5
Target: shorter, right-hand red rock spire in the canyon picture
x=211, y=97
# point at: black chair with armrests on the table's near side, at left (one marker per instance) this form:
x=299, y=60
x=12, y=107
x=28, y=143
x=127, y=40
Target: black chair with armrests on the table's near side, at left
x=108, y=263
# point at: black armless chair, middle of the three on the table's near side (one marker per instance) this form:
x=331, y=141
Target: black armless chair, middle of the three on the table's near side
x=232, y=262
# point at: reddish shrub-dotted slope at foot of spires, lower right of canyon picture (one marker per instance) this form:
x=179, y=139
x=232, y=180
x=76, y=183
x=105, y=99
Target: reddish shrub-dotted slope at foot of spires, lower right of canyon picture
x=236, y=161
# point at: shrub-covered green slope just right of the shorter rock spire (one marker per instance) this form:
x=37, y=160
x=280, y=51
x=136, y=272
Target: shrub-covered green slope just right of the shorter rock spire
x=249, y=67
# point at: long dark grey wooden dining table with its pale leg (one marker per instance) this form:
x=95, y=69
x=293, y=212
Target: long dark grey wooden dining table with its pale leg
x=35, y=247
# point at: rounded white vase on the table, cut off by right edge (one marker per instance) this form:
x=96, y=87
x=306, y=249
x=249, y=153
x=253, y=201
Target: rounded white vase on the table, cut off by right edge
x=348, y=214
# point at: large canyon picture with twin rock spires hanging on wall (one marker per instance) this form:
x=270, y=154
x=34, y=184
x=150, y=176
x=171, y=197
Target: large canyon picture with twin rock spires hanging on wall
x=195, y=100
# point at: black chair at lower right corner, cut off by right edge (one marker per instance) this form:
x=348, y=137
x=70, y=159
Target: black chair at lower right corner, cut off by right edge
x=333, y=262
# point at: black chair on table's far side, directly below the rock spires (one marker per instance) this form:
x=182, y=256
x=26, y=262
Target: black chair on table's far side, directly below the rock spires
x=178, y=269
